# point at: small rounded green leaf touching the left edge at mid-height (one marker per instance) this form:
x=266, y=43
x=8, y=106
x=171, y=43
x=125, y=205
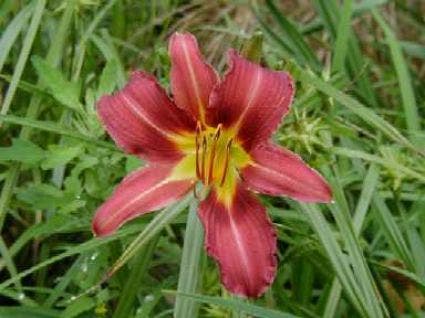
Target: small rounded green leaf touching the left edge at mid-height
x=22, y=151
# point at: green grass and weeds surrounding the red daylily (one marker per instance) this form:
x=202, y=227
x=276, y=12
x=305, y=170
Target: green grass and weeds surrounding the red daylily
x=358, y=117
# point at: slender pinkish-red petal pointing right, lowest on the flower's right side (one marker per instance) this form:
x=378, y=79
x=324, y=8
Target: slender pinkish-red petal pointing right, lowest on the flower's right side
x=278, y=171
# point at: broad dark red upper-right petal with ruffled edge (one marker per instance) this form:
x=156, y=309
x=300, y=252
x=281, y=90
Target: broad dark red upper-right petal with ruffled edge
x=252, y=99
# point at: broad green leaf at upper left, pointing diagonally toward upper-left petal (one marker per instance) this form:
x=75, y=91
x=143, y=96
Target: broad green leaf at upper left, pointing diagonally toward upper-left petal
x=65, y=92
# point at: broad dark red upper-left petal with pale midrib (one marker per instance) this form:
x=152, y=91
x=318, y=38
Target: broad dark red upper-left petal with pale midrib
x=143, y=120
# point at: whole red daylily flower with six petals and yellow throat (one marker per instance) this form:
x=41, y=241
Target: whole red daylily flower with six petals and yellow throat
x=216, y=131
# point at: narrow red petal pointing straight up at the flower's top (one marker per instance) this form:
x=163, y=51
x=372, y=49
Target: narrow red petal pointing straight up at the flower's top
x=192, y=80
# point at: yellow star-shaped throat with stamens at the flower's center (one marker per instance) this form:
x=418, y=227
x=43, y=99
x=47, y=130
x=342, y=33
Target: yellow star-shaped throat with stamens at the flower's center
x=213, y=156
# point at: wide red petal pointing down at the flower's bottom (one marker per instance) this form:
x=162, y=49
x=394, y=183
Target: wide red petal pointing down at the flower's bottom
x=242, y=240
